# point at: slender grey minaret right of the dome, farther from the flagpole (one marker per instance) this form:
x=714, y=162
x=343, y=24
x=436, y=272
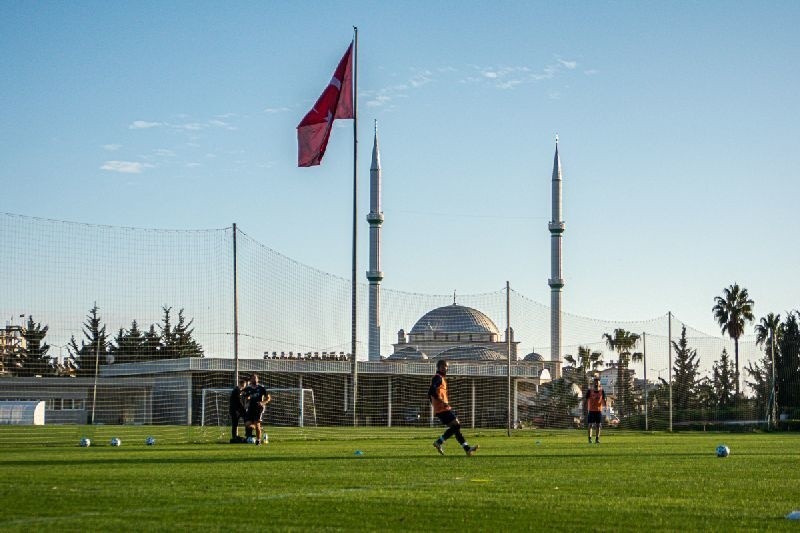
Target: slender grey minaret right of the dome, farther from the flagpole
x=556, y=281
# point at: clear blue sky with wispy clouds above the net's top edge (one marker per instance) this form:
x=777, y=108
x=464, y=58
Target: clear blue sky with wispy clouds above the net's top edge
x=678, y=126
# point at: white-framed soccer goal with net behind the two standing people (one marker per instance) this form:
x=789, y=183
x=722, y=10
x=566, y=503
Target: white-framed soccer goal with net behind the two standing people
x=288, y=407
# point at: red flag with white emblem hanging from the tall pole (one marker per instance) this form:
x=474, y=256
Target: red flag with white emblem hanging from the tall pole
x=336, y=101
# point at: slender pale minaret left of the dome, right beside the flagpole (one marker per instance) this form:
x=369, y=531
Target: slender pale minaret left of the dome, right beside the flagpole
x=374, y=274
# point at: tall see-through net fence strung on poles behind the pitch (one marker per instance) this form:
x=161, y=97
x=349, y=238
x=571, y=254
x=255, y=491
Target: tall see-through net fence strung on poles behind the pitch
x=125, y=326
